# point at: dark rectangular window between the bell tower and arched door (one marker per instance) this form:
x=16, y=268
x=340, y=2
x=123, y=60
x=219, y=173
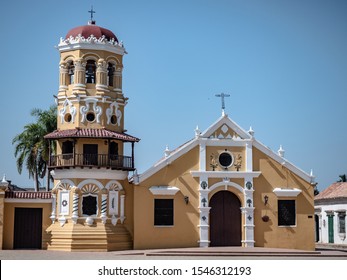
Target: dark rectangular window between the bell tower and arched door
x=163, y=212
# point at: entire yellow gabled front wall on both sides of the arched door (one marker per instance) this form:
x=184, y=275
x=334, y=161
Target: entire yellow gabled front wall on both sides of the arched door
x=185, y=232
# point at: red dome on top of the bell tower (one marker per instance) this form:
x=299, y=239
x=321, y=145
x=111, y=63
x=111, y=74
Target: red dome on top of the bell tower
x=91, y=29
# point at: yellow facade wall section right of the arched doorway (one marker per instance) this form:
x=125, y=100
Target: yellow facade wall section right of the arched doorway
x=269, y=234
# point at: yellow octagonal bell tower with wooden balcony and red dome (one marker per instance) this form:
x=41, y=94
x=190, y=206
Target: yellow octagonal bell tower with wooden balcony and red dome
x=92, y=197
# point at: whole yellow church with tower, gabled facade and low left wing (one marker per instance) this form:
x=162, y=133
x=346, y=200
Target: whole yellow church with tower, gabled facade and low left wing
x=221, y=188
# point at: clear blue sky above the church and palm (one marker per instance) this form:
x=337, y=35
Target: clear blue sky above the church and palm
x=284, y=63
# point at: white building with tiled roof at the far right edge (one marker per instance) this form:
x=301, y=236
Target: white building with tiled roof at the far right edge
x=330, y=214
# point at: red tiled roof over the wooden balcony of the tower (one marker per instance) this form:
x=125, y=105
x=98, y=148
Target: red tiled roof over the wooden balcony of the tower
x=91, y=133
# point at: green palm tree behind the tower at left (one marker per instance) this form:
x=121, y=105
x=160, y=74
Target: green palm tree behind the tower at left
x=32, y=149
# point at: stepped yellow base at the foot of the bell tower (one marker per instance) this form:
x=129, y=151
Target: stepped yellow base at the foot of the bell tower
x=97, y=238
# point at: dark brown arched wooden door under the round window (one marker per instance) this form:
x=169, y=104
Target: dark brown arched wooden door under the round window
x=225, y=219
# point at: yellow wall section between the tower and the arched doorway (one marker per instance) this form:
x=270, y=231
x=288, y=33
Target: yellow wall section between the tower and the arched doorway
x=185, y=232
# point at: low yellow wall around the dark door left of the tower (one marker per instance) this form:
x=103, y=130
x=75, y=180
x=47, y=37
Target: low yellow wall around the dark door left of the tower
x=9, y=221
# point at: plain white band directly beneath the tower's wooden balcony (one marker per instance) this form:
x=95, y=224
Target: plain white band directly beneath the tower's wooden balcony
x=102, y=173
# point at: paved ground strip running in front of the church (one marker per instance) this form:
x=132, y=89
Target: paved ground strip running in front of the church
x=322, y=252
